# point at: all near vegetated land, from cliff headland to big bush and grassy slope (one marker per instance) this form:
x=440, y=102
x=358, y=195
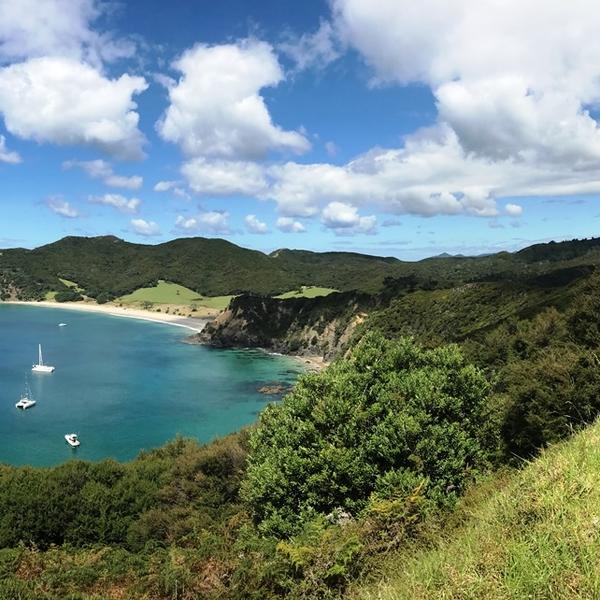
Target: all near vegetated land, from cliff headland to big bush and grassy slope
x=409, y=468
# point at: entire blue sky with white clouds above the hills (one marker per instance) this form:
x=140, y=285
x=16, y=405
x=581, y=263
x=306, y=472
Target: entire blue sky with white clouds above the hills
x=386, y=128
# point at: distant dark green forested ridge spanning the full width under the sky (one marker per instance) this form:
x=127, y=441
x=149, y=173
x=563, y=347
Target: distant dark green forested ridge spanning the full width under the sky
x=113, y=267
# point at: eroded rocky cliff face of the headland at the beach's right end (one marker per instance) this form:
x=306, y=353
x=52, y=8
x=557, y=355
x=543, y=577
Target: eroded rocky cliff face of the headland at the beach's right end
x=300, y=326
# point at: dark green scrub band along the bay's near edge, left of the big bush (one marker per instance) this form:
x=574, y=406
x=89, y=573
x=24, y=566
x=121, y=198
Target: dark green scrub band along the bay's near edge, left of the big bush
x=160, y=497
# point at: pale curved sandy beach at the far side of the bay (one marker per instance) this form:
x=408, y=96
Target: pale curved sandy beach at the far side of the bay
x=191, y=323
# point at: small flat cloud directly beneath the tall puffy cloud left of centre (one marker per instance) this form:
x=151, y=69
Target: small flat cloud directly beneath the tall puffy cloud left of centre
x=224, y=177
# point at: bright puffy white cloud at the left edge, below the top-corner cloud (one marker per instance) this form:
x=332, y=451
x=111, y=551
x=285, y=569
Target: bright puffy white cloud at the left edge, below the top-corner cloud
x=62, y=101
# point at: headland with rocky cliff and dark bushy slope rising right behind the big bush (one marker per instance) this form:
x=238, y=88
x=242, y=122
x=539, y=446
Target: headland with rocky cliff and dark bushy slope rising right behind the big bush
x=323, y=326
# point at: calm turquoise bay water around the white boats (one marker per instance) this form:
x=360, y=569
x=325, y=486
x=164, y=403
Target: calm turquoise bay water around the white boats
x=122, y=384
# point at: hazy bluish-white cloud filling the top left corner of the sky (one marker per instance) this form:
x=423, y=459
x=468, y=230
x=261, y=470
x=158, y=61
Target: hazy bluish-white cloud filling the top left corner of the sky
x=35, y=28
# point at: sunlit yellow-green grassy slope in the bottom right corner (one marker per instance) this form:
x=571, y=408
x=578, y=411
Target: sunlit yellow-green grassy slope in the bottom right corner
x=533, y=535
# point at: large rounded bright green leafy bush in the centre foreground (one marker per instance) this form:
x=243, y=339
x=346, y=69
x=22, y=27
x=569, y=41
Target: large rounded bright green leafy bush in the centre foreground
x=384, y=420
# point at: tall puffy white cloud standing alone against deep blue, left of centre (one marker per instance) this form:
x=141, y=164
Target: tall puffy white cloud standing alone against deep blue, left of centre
x=216, y=109
